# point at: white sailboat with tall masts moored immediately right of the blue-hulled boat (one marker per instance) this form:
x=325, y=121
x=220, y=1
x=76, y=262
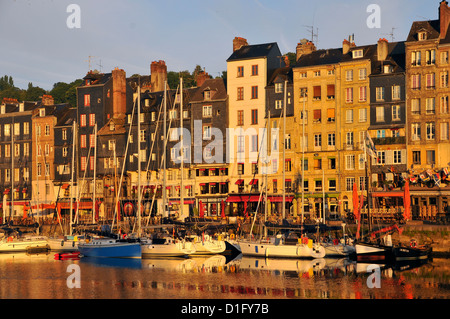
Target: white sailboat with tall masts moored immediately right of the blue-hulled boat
x=162, y=244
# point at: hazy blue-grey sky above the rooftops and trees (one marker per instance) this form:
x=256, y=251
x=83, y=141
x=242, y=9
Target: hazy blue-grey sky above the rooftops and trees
x=38, y=46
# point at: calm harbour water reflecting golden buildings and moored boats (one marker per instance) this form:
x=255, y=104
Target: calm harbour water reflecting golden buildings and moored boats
x=40, y=276
